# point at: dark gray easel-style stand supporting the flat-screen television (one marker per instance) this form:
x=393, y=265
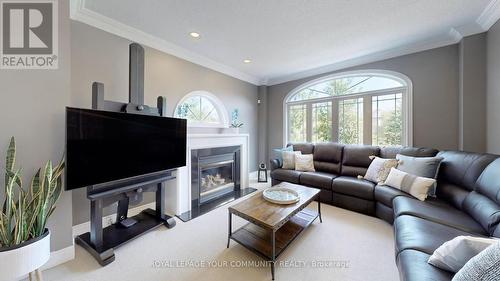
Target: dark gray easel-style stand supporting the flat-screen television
x=100, y=242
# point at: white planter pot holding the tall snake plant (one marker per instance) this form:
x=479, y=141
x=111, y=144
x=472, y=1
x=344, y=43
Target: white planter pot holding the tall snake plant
x=17, y=261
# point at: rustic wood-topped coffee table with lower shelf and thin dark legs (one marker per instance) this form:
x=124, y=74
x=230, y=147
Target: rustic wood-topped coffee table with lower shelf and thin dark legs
x=272, y=227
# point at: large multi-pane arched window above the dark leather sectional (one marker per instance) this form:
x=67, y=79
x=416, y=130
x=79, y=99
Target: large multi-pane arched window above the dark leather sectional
x=357, y=107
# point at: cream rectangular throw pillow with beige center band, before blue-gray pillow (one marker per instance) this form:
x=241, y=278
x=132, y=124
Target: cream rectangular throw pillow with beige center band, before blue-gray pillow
x=417, y=187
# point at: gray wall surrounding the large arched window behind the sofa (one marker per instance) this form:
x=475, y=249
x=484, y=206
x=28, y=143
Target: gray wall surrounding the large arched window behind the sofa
x=435, y=76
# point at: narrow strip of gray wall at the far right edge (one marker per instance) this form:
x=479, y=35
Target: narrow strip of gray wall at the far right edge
x=493, y=89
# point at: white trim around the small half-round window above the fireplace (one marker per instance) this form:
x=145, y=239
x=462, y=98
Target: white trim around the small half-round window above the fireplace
x=219, y=106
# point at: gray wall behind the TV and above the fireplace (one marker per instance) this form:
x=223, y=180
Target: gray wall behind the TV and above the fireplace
x=103, y=57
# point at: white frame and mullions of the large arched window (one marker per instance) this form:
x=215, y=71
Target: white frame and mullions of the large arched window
x=407, y=103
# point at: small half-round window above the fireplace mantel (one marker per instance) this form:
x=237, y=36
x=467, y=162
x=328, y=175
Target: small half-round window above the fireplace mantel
x=202, y=109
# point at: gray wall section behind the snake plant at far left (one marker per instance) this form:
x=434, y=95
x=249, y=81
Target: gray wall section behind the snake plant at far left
x=33, y=104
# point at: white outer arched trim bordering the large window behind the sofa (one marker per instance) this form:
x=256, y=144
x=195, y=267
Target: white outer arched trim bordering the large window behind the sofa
x=407, y=97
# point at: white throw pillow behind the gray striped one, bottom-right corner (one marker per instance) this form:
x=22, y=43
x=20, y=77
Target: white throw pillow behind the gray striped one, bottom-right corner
x=454, y=254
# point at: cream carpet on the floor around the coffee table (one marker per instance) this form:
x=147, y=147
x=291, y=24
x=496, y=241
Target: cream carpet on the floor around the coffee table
x=356, y=247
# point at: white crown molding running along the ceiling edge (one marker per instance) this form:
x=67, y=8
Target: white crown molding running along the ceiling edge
x=489, y=16
